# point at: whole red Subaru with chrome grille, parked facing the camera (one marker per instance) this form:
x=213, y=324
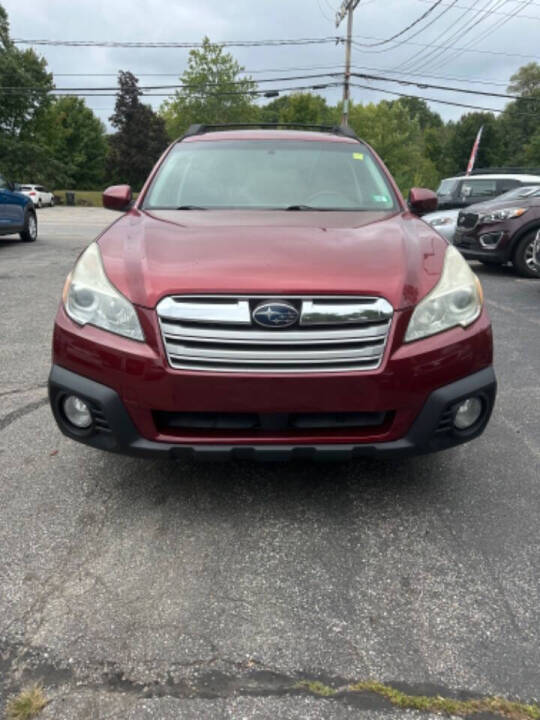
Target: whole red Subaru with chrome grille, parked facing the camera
x=270, y=294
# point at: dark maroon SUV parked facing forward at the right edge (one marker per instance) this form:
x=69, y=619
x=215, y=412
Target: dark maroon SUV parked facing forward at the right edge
x=502, y=231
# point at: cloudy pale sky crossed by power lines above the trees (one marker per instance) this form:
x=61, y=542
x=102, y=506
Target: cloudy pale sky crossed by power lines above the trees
x=501, y=35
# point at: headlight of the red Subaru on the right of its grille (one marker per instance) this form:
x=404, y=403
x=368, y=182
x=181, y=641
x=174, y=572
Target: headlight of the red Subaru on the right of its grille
x=455, y=300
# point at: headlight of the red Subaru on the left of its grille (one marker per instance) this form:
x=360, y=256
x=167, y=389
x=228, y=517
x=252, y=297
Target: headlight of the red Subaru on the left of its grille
x=90, y=298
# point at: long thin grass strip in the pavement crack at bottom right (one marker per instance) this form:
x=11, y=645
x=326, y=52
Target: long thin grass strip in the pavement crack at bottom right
x=434, y=704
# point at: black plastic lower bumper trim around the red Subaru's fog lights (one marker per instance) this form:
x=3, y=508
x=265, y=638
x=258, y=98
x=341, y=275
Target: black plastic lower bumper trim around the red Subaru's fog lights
x=121, y=436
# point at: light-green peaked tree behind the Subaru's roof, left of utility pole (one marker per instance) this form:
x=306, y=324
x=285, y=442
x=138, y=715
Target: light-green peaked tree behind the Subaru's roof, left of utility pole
x=212, y=92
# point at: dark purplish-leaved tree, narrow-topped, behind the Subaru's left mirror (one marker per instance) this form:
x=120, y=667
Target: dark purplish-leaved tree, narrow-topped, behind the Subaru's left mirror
x=140, y=136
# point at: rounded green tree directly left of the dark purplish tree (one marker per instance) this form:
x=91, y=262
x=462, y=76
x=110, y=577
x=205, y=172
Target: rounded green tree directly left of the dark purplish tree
x=77, y=140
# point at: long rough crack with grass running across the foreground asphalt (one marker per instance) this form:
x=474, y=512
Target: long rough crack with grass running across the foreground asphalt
x=203, y=680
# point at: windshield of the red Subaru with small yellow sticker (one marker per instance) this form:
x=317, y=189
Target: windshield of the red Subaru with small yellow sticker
x=274, y=175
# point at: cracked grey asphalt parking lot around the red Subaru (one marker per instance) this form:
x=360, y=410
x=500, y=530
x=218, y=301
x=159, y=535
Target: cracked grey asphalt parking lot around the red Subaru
x=148, y=589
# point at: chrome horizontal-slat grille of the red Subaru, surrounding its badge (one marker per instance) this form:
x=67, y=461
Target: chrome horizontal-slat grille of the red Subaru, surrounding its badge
x=218, y=333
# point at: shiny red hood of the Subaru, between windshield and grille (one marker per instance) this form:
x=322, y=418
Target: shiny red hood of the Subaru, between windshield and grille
x=148, y=255
